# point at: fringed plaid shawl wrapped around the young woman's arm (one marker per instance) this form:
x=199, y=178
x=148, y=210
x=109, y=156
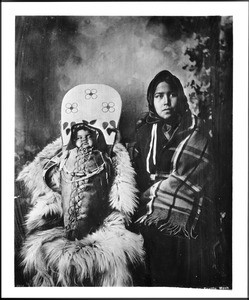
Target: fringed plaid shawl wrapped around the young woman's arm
x=174, y=204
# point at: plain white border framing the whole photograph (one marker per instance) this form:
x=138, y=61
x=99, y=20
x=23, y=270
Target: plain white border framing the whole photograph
x=239, y=11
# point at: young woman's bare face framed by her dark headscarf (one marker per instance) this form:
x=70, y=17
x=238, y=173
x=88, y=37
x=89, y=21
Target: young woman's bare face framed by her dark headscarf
x=165, y=100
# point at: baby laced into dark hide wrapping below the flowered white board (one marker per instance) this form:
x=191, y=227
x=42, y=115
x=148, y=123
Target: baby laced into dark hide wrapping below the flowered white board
x=83, y=176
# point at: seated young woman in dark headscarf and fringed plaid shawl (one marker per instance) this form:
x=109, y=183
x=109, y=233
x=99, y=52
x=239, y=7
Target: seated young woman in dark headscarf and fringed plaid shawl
x=176, y=213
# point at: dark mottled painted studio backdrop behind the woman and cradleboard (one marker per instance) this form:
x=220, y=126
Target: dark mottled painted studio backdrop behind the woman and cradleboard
x=53, y=54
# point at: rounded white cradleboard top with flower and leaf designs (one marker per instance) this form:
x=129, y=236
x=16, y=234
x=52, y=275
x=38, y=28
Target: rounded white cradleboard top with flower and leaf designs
x=97, y=104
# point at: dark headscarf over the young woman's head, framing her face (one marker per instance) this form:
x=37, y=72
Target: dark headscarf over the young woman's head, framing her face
x=174, y=82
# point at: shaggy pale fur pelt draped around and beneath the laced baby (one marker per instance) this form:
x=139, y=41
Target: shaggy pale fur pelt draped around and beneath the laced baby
x=102, y=258
